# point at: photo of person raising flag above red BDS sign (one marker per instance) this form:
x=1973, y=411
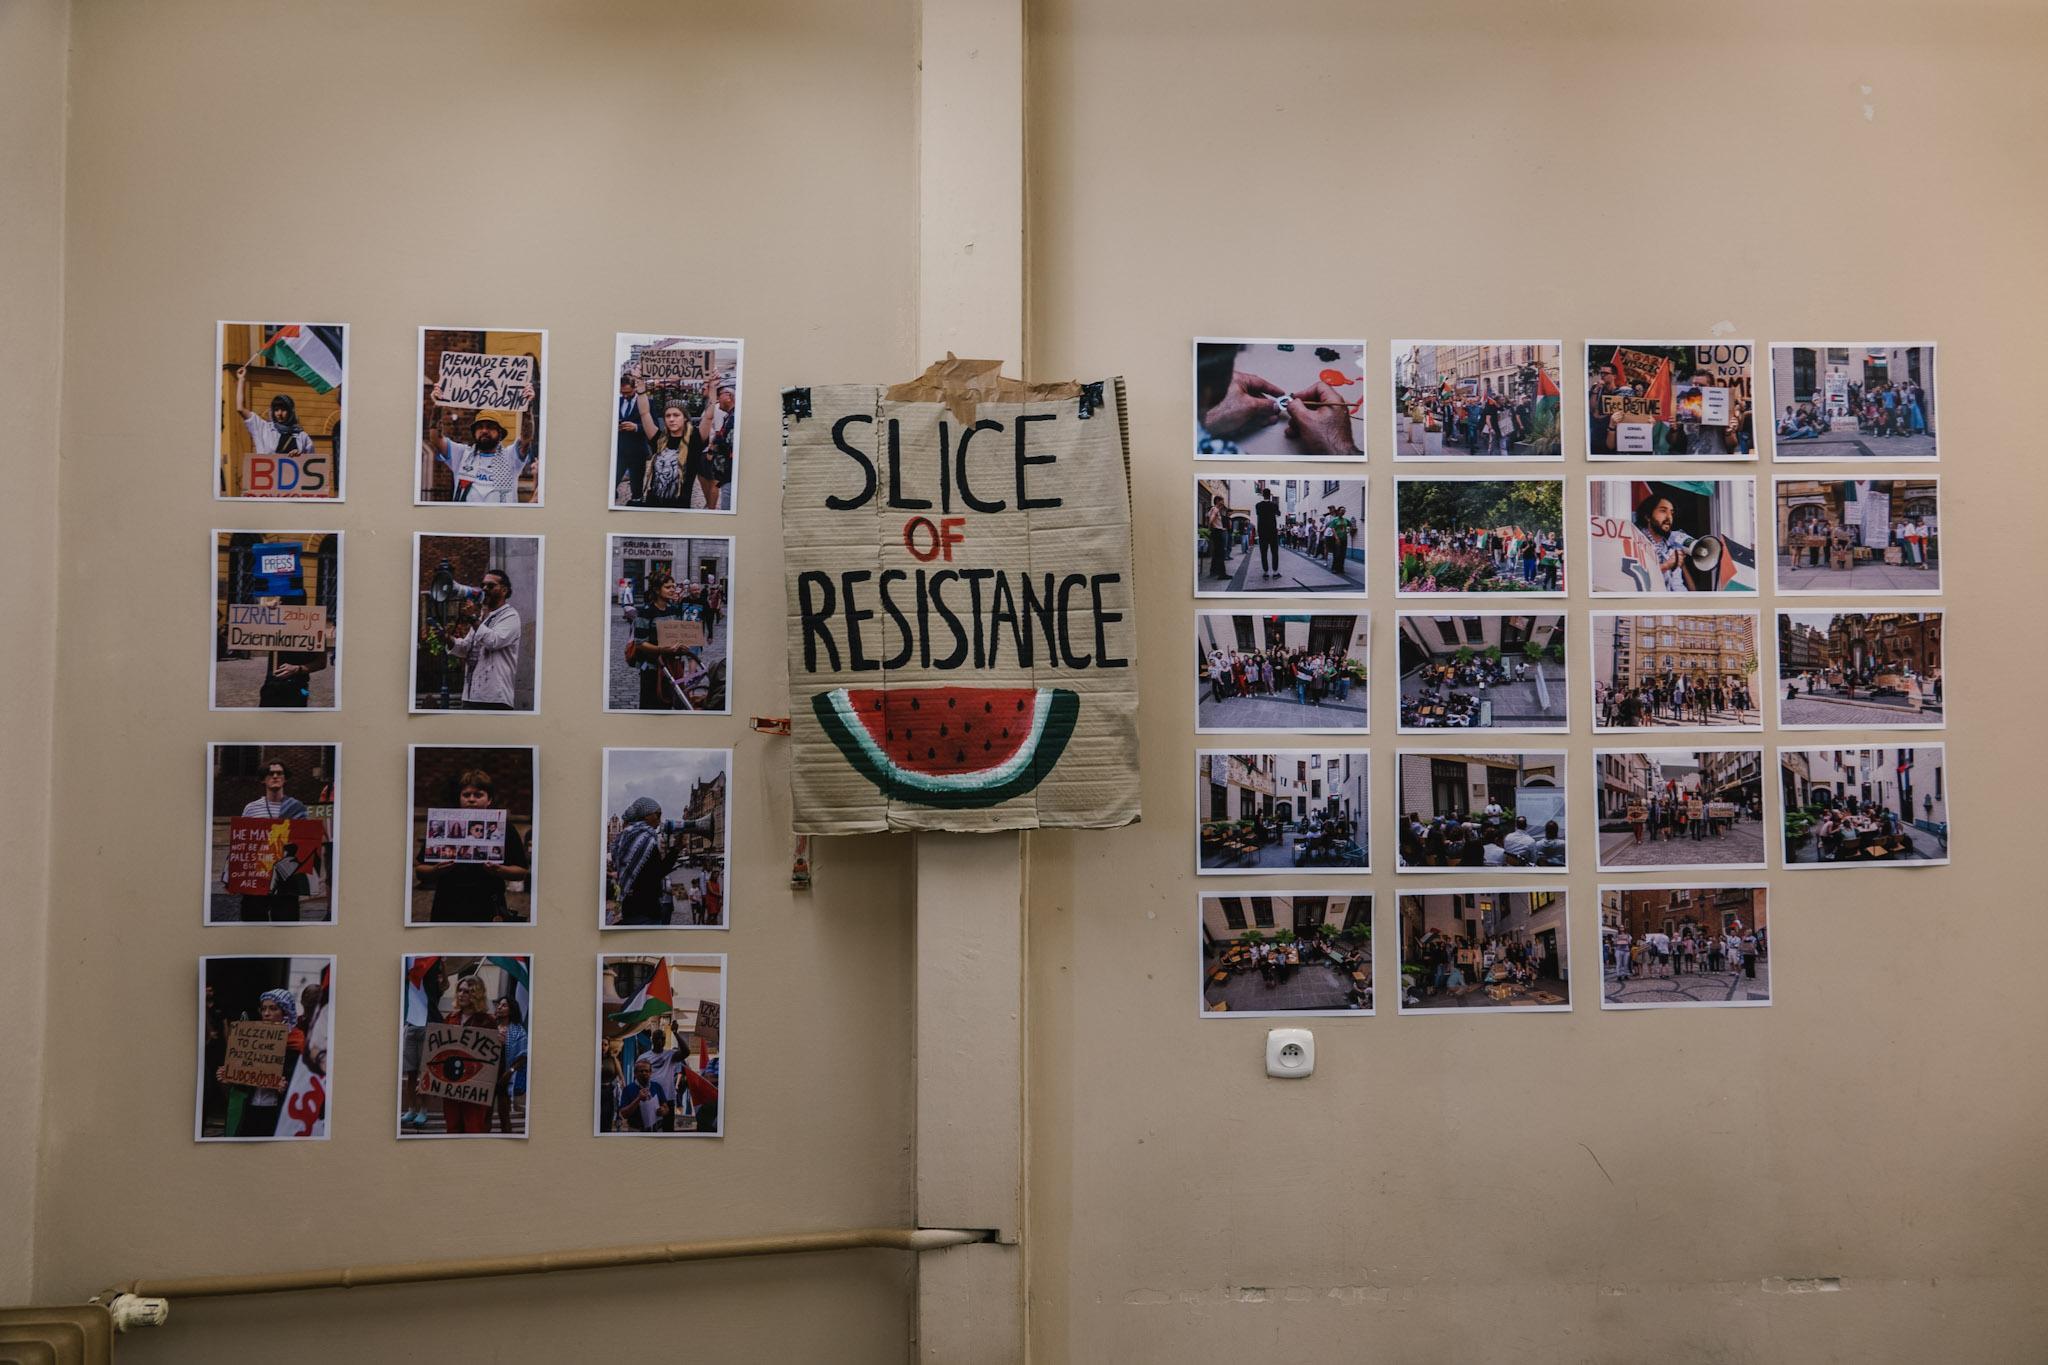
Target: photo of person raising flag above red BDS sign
x=282, y=398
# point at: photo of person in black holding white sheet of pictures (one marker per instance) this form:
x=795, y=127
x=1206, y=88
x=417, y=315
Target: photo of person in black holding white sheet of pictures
x=472, y=834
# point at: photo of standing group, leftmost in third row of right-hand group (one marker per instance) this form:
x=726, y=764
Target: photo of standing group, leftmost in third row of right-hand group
x=1304, y=674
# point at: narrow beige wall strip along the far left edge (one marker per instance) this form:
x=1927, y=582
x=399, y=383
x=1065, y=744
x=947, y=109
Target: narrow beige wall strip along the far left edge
x=32, y=302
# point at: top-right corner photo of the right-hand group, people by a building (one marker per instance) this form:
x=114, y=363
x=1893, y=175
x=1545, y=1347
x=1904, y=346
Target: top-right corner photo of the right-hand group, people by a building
x=1854, y=400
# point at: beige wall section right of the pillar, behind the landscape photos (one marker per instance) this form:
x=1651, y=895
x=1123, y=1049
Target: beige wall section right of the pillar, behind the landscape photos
x=1566, y=1188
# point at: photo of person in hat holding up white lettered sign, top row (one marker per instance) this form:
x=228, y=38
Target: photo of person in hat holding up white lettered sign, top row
x=482, y=425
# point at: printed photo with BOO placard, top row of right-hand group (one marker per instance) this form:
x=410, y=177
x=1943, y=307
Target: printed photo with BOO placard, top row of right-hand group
x=1670, y=400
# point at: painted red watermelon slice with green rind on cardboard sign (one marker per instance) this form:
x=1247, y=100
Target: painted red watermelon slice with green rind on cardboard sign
x=953, y=748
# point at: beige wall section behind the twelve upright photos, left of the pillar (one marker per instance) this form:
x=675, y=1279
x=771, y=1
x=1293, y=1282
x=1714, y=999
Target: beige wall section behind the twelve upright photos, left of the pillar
x=734, y=171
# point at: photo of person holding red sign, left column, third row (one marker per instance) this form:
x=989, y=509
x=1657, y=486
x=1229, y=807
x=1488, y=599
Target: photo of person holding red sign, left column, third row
x=271, y=834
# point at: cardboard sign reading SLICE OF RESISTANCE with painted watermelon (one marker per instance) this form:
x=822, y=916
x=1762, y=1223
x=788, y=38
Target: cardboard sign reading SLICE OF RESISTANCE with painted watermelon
x=962, y=640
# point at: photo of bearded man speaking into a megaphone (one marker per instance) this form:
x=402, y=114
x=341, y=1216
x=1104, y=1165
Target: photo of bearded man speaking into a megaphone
x=1672, y=535
